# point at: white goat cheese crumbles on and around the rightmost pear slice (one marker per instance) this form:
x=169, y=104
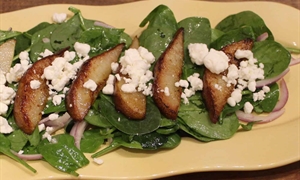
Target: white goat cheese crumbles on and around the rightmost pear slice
x=242, y=77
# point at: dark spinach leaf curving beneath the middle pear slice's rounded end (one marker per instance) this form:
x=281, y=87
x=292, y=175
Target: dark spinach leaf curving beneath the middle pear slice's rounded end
x=131, y=127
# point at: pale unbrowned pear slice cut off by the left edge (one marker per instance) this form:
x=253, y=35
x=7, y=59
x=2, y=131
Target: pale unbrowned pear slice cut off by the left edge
x=7, y=50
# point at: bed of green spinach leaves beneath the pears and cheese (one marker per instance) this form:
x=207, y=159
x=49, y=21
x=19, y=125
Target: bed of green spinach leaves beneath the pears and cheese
x=103, y=124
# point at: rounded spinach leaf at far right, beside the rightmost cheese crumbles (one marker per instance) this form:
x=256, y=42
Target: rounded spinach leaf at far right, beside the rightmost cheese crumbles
x=273, y=55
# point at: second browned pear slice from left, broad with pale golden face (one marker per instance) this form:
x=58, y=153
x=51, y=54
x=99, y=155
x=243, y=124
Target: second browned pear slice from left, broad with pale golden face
x=97, y=69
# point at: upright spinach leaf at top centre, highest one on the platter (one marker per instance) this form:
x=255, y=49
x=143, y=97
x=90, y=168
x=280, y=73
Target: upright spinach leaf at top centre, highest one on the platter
x=159, y=33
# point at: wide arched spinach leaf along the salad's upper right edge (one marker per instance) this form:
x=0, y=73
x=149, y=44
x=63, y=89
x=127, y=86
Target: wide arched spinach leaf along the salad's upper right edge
x=245, y=18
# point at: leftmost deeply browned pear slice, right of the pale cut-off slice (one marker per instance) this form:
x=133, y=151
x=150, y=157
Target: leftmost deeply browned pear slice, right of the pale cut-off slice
x=30, y=102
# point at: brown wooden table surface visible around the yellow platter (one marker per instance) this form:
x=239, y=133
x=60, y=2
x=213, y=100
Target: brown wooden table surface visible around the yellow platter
x=287, y=172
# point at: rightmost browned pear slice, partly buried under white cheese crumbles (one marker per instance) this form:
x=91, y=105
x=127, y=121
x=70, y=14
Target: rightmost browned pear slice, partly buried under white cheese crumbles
x=215, y=99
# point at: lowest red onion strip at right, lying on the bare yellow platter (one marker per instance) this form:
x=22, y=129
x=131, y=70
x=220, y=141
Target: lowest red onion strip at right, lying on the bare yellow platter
x=259, y=118
